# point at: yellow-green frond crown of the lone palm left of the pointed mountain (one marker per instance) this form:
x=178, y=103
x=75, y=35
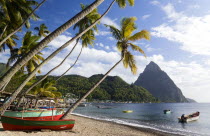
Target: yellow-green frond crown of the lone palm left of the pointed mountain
x=124, y=38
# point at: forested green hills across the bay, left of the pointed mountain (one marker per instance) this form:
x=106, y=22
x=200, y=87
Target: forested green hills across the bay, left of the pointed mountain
x=112, y=88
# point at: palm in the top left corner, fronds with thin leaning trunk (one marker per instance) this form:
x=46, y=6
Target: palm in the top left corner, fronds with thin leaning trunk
x=15, y=14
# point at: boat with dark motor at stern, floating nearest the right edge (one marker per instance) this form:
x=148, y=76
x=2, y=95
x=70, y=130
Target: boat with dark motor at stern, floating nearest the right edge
x=189, y=118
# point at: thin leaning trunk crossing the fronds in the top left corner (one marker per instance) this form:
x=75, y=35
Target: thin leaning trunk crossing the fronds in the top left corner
x=8, y=36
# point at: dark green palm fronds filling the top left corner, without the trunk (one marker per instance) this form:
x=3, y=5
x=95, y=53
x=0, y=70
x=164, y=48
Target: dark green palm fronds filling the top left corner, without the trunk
x=12, y=15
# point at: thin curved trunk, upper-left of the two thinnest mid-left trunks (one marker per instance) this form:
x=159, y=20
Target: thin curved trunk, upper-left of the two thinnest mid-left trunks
x=46, y=75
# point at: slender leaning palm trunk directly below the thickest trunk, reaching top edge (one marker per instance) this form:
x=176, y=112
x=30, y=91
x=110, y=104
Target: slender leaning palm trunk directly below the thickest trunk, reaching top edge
x=14, y=95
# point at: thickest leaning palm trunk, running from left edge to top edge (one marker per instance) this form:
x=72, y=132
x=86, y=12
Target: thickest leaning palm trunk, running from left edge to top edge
x=8, y=75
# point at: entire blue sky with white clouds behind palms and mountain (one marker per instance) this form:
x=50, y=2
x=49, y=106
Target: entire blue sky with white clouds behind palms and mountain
x=179, y=44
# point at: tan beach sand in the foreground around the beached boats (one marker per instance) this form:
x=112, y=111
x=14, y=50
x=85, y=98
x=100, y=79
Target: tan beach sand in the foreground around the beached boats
x=90, y=127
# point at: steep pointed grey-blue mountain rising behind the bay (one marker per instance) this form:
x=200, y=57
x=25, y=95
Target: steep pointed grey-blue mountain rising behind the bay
x=159, y=84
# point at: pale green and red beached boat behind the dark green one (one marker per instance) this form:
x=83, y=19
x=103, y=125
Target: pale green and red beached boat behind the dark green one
x=36, y=114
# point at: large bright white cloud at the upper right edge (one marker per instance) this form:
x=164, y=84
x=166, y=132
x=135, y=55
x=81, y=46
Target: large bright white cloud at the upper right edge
x=191, y=32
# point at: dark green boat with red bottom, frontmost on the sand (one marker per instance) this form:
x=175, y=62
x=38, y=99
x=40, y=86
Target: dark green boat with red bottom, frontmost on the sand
x=10, y=123
